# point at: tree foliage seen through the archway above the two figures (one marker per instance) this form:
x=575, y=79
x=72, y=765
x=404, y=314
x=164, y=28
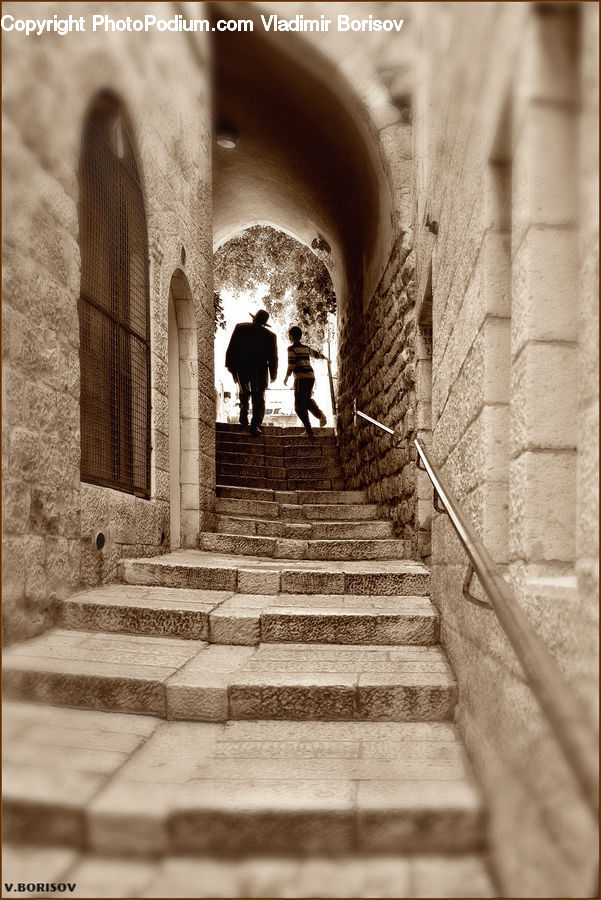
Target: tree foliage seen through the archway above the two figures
x=296, y=286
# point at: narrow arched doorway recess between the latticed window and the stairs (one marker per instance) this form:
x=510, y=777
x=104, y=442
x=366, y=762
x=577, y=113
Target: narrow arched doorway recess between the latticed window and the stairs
x=183, y=415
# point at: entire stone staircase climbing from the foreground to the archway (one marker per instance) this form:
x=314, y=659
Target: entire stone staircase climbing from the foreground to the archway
x=270, y=715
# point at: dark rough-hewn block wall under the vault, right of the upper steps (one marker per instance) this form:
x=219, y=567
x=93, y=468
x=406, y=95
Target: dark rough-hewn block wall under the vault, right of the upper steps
x=378, y=371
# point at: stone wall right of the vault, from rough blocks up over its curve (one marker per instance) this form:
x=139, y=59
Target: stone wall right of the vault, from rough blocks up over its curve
x=379, y=348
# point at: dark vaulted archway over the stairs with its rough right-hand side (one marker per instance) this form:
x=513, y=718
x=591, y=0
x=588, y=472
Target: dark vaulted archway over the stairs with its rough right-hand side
x=299, y=147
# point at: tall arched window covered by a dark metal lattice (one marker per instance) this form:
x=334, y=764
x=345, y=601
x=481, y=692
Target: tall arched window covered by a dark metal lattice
x=113, y=308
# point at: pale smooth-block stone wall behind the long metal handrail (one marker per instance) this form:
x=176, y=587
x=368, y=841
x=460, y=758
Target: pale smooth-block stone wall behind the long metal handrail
x=497, y=142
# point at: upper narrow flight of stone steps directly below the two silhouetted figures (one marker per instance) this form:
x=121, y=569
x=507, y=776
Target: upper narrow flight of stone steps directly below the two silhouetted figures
x=292, y=505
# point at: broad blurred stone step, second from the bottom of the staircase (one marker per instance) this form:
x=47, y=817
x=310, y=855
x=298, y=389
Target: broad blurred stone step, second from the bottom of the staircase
x=141, y=789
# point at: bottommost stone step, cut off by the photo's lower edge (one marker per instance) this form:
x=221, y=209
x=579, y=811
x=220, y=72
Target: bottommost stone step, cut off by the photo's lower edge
x=414, y=875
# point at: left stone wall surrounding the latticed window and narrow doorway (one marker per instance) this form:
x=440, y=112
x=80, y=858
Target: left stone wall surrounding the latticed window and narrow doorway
x=49, y=515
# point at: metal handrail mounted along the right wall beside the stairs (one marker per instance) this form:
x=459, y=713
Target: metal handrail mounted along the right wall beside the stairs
x=555, y=696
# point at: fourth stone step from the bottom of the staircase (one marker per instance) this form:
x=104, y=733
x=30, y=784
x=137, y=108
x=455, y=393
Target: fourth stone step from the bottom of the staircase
x=223, y=617
